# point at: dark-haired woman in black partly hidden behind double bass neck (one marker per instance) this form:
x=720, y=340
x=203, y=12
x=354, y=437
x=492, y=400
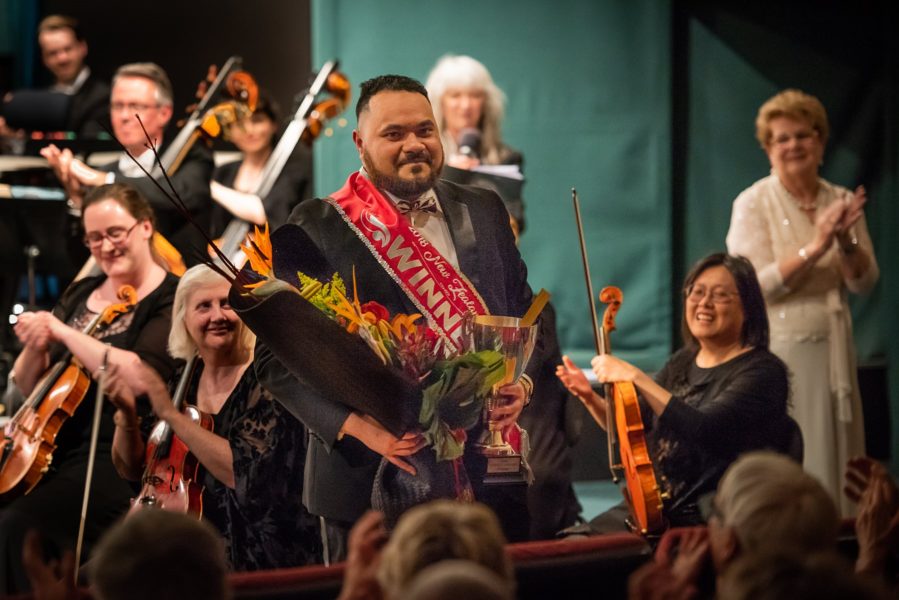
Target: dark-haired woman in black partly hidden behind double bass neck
x=234, y=184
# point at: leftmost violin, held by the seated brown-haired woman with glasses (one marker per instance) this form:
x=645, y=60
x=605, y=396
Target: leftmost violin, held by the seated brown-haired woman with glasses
x=29, y=438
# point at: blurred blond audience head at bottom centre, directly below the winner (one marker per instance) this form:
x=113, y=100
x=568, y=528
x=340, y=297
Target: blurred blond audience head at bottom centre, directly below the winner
x=438, y=531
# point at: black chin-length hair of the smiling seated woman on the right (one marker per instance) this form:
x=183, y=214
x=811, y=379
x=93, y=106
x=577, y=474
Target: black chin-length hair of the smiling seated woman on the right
x=755, y=316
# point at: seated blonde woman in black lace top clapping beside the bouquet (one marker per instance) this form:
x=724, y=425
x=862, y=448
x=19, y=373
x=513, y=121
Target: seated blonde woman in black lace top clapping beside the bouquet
x=253, y=458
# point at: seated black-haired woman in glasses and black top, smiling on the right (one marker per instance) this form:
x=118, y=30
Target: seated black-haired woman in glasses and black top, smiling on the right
x=723, y=394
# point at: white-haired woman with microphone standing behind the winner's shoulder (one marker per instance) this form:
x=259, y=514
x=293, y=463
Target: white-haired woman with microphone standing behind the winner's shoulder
x=469, y=109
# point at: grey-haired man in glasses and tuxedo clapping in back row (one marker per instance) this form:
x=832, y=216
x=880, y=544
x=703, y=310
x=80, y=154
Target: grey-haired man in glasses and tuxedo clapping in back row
x=144, y=90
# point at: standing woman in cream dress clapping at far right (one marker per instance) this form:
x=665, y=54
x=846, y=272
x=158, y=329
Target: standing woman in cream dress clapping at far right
x=808, y=240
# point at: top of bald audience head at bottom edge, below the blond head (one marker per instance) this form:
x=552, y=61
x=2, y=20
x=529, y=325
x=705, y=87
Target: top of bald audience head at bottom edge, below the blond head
x=457, y=579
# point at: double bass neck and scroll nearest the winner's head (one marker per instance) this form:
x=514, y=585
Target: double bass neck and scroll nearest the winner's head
x=306, y=124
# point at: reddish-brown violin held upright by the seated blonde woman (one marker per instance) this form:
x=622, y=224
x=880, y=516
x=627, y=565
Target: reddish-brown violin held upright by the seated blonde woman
x=169, y=481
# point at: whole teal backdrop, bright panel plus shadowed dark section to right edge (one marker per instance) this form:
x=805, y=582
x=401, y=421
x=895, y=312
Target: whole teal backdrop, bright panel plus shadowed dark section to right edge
x=648, y=108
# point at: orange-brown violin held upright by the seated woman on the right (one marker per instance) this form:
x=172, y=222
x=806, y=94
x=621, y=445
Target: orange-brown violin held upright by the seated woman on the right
x=625, y=421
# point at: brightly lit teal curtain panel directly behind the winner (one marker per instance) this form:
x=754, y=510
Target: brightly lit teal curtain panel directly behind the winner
x=589, y=95
